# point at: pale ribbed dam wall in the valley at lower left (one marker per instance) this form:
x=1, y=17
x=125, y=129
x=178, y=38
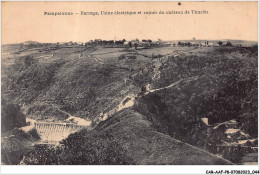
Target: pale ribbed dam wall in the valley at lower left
x=55, y=132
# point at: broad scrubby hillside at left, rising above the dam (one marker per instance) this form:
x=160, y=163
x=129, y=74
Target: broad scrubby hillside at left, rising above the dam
x=49, y=88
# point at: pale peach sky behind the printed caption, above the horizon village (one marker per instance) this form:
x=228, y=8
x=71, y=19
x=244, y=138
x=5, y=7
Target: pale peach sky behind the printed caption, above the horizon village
x=25, y=21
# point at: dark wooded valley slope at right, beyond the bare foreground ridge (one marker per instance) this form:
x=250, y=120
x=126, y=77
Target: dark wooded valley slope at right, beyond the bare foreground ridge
x=220, y=85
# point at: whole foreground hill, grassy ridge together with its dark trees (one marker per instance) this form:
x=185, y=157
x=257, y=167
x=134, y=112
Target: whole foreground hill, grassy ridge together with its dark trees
x=125, y=138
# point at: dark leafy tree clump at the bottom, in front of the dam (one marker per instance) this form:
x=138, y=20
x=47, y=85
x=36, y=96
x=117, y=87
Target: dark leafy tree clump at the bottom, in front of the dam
x=81, y=148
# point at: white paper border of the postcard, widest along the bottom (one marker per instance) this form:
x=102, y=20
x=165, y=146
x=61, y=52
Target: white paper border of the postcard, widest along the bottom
x=135, y=169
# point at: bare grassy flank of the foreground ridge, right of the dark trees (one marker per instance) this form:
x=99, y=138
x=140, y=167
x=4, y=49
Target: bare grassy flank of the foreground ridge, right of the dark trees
x=147, y=146
